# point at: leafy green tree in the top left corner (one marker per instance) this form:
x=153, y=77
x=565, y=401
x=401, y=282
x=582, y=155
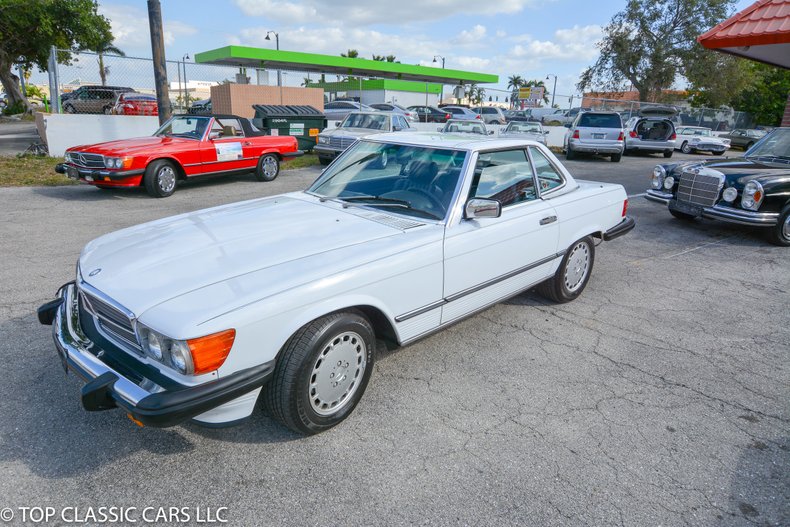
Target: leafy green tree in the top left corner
x=29, y=29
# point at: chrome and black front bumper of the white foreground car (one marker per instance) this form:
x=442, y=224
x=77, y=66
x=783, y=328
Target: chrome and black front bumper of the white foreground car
x=106, y=388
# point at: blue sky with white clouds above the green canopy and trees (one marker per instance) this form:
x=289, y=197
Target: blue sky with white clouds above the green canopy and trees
x=532, y=38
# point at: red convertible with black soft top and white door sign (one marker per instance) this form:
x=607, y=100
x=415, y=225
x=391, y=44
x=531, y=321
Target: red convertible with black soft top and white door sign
x=184, y=147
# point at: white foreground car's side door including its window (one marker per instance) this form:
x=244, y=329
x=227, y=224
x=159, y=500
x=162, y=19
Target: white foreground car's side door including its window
x=488, y=258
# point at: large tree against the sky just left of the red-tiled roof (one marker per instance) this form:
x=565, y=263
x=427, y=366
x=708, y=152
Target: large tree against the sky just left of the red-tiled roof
x=650, y=43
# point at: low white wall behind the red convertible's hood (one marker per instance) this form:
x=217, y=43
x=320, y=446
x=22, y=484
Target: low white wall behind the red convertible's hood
x=67, y=130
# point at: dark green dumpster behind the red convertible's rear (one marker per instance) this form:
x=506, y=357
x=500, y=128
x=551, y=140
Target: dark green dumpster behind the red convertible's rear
x=302, y=122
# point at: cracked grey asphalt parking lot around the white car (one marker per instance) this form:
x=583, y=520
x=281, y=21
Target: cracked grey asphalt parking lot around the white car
x=659, y=397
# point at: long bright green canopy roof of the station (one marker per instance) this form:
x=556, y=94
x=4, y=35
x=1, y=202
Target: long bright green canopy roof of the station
x=243, y=56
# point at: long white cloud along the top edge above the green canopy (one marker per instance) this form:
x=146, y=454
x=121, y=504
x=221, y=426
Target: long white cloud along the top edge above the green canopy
x=356, y=13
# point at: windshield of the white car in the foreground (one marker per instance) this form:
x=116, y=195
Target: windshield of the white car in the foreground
x=413, y=180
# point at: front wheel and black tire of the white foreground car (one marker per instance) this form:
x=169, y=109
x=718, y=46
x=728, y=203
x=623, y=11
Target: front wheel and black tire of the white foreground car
x=292, y=395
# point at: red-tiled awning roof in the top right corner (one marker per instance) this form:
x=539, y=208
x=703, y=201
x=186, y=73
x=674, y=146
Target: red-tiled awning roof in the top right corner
x=759, y=32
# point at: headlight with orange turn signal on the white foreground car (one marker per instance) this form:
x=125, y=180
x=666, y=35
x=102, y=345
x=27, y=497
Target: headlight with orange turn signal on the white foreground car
x=192, y=356
